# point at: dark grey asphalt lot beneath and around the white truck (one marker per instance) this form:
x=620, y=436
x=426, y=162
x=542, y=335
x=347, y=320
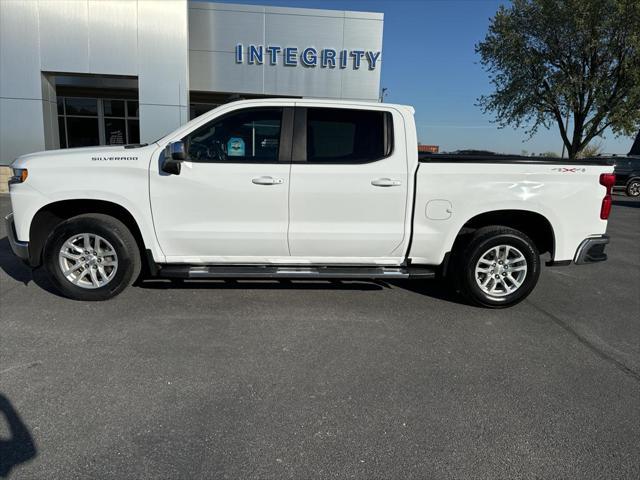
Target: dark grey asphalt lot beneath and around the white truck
x=306, y=380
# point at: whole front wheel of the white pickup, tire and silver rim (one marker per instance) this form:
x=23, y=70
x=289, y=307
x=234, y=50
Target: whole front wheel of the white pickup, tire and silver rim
x=92, y=257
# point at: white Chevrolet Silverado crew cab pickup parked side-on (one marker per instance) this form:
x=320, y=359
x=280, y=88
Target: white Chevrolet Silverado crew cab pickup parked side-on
x=297, y=188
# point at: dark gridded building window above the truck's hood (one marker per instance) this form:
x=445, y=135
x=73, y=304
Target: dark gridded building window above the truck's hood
x=86, y=122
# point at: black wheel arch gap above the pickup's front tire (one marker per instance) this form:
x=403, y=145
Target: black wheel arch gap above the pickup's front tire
x=49, y=216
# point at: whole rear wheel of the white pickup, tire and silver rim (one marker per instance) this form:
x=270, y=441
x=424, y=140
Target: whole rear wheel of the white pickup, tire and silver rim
x=497, y=268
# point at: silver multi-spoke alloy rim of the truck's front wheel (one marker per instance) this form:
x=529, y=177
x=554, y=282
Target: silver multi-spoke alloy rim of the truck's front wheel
x=88, y=260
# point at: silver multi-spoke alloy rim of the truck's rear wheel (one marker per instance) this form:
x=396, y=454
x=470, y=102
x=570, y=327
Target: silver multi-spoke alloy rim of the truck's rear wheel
x=501, y=270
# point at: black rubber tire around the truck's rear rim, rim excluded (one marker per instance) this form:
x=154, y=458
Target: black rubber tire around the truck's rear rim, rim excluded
x=465, y=261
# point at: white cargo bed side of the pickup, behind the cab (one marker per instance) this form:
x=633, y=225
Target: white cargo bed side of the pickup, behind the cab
x=454, y=190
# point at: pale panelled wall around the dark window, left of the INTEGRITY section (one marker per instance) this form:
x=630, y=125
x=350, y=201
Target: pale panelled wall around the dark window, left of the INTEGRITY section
x=143, y=38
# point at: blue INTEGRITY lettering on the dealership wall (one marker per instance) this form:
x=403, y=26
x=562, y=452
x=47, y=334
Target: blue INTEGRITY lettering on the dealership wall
x=307, y=57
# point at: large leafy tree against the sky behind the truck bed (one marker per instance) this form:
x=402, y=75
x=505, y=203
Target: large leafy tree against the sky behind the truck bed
x=551, y=60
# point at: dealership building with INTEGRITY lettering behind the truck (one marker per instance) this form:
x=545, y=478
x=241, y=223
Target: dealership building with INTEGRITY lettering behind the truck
x=97, y=72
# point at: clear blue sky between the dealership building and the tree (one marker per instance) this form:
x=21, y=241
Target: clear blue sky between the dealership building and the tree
x=429, y=61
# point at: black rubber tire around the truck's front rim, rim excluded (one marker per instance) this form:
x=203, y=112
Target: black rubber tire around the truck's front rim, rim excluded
x=110, y=229
